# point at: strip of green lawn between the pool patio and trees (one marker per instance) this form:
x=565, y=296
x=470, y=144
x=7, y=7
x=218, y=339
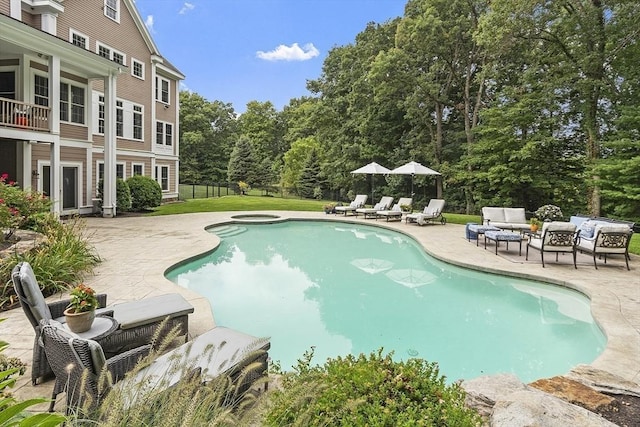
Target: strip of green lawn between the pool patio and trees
x=259, y=203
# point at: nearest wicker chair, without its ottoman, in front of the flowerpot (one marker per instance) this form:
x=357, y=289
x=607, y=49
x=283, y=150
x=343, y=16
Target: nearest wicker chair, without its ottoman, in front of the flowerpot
x=77, y=364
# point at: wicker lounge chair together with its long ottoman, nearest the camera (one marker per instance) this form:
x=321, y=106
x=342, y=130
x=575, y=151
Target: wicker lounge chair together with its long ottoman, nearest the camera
x=78, y=364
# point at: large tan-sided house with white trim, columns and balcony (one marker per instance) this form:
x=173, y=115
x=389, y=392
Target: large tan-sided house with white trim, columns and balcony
x=85, y=96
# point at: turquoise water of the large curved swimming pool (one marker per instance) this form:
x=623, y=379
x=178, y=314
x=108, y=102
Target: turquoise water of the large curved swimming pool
x=342, y=288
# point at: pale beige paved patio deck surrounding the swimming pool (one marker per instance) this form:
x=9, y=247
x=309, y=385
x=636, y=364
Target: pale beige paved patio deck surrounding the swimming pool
x=136, y=252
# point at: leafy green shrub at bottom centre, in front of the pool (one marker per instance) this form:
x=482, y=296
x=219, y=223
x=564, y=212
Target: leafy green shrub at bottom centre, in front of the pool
x=373, y=390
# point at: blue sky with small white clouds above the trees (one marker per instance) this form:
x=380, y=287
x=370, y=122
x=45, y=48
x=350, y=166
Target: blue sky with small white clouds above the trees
x=237, y=51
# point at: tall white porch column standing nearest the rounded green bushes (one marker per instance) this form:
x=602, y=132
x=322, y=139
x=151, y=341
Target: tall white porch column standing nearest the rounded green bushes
x=109, y=188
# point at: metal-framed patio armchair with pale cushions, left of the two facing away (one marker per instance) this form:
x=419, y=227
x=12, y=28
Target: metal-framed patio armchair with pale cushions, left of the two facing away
x=556, y=236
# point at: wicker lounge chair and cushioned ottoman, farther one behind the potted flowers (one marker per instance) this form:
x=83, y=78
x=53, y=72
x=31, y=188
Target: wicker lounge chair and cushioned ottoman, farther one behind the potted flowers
x=134, y=323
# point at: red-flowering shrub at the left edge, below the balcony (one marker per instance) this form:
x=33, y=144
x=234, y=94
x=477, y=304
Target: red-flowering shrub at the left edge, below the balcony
x=18, y=208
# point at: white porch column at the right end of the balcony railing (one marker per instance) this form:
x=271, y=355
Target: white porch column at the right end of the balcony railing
x=54, y=119
